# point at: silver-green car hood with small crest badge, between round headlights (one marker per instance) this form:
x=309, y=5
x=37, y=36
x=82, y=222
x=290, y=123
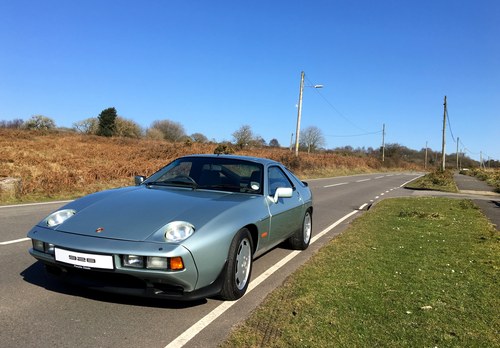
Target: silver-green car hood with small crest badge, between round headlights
x=135, y=213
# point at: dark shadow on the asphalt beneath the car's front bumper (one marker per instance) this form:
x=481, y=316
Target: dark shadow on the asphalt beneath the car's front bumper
x=36, y=275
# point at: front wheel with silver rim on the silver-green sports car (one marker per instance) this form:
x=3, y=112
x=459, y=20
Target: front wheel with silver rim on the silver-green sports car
x=239, y=266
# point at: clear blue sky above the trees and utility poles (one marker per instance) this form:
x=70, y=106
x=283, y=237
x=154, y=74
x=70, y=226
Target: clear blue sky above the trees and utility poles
x=214, y=66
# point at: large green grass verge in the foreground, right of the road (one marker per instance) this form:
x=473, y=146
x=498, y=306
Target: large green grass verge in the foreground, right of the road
x=412, y=272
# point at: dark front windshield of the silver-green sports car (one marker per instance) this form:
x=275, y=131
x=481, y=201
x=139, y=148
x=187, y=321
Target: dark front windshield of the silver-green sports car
x=211, y=173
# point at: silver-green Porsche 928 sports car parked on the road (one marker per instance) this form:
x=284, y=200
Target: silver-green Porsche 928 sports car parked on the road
x=189, y=231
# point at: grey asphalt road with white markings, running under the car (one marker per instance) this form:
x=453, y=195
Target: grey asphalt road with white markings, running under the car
x=38, y=311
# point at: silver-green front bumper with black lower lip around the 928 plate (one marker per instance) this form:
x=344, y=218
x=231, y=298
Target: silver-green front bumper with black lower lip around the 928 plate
x=125, y=280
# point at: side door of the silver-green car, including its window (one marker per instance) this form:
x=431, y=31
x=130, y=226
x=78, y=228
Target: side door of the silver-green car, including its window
x=286, y=213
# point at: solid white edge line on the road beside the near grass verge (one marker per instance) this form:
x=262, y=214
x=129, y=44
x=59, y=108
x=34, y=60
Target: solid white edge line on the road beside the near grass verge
x=196, y=328
